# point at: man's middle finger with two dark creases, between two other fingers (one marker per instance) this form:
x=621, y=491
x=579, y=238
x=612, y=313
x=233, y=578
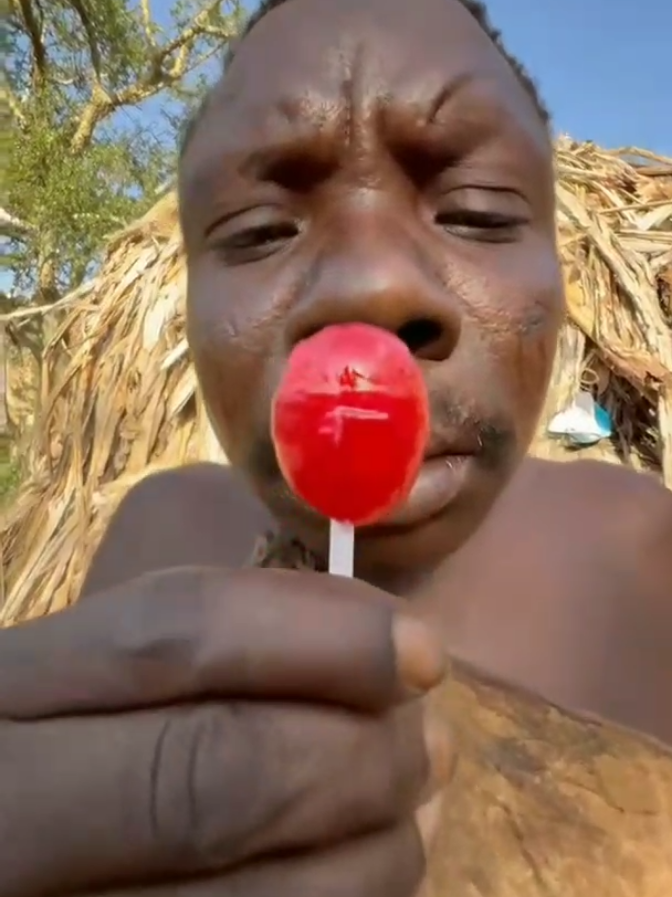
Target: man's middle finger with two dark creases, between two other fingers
x=198, y=790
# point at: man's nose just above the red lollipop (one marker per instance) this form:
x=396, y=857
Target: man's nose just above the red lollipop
x=376, y=272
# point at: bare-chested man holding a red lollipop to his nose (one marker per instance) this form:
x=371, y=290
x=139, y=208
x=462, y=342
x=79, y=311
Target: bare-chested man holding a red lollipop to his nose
x=196, y=728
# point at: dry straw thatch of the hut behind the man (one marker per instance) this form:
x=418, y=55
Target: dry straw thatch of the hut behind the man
x=120, y=399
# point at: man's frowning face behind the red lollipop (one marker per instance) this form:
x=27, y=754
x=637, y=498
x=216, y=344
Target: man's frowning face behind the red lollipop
x=376, y=161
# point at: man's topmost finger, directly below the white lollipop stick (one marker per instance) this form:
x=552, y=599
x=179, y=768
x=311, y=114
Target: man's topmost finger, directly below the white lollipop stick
x=190, y=634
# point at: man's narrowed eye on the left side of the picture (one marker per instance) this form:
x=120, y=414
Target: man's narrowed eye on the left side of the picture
x=253, y=235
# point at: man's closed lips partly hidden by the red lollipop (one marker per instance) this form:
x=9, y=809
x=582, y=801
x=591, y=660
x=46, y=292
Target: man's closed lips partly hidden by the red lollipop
x=440, y=481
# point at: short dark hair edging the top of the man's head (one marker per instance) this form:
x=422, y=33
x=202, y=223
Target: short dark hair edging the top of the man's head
x=475, y=7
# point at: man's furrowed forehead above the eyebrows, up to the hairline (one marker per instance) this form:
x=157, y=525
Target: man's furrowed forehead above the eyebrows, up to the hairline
x=315, y=64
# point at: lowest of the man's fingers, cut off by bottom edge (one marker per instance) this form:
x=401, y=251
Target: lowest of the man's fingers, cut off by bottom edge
x=384, y=864
